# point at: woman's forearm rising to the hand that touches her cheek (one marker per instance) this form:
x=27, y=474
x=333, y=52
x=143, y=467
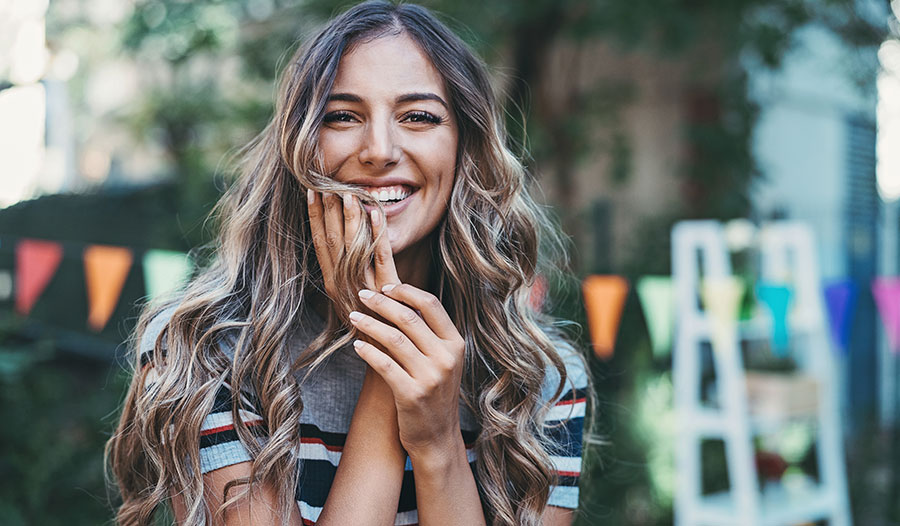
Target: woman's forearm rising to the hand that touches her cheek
x=366, y=487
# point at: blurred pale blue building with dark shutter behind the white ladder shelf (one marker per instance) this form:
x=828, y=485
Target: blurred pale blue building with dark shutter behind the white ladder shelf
x=815, y=144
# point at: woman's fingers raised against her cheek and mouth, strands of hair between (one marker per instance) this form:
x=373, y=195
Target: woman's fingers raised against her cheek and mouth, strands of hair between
x=334, y=221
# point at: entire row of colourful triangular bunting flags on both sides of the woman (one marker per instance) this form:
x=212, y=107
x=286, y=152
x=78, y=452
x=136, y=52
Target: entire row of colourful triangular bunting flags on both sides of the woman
x=107, y=267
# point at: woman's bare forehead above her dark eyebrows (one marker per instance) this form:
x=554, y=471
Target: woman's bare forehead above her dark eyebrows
x=387, y=66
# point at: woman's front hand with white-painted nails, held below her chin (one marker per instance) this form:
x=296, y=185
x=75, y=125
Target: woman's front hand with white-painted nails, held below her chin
x=423, y=364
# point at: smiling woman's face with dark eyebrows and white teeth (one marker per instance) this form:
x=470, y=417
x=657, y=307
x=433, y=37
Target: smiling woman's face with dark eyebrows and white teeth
x=388, y=129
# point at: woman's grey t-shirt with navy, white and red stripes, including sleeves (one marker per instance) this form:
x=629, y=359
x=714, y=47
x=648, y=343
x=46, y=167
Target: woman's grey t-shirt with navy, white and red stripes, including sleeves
x=329, y=397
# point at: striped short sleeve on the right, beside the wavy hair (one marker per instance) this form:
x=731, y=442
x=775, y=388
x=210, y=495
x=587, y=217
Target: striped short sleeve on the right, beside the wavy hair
x=564, y=426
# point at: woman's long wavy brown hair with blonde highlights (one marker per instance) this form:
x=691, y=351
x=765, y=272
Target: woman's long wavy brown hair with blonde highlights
x=264, y=272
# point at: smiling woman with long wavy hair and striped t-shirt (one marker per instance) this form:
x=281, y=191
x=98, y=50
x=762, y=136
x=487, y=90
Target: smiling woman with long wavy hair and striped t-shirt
x=367, y=314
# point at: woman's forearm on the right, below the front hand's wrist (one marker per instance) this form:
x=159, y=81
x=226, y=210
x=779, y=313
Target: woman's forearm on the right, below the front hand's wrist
x=445, y=486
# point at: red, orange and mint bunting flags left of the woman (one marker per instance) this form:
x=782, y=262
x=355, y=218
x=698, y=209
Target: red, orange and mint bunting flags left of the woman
x=106, y=268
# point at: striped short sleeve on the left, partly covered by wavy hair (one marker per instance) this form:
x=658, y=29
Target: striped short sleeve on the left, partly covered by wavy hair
x=219, y=443
